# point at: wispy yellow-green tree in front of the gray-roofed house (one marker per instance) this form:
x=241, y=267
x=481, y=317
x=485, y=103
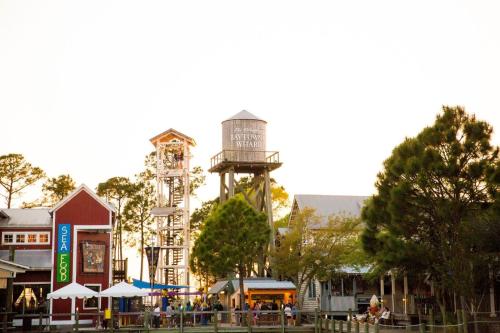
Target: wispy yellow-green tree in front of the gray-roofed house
x=316, y=248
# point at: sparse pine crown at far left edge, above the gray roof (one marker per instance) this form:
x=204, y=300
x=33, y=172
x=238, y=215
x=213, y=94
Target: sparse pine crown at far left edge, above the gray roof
x=16, y=174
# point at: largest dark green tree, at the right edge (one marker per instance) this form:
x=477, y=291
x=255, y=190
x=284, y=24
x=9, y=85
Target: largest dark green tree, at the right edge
x=434, y=203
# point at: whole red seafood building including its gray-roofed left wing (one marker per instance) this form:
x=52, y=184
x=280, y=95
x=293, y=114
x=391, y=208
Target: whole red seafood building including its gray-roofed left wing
x=70, y=243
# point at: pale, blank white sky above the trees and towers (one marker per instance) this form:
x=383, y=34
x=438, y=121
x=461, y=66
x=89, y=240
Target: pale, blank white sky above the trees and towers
x=84, y=85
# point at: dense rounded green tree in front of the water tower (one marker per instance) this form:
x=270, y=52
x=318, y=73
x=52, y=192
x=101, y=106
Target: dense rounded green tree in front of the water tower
x=231, y=239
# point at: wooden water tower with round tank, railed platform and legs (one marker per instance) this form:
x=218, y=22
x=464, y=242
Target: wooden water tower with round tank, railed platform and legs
x=244, y=151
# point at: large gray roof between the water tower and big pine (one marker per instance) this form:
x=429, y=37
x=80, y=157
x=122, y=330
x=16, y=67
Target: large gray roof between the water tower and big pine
x=329, y=205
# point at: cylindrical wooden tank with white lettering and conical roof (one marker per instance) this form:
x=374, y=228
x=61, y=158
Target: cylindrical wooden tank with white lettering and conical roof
x=244, y=138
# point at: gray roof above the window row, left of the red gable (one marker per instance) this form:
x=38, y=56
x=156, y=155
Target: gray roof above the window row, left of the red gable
x=36, y=217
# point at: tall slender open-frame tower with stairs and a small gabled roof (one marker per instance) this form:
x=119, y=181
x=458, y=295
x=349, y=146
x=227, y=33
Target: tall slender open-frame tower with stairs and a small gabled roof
x=172, y=211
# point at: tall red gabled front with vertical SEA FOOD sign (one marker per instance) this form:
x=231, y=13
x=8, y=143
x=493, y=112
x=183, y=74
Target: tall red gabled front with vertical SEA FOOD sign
x=82, y=225
